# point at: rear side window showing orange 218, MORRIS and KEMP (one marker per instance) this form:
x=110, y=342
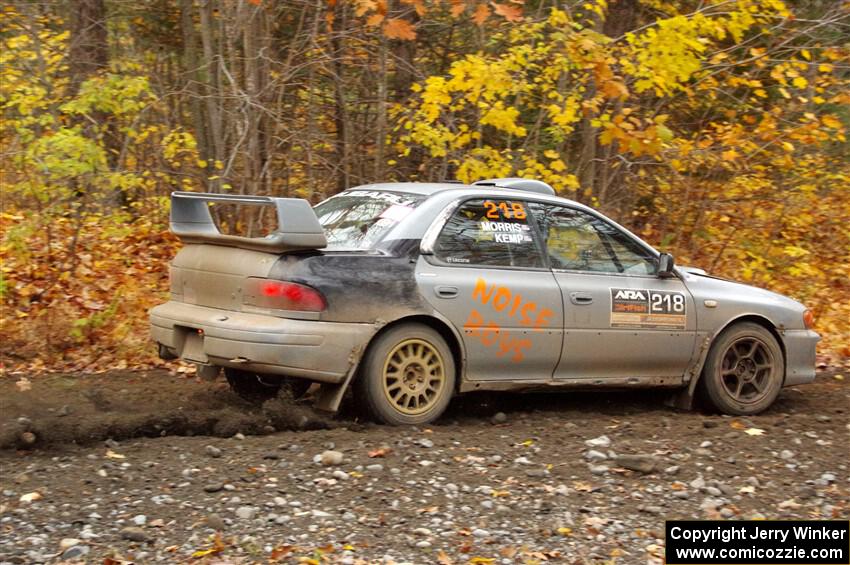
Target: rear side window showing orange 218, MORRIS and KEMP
x=492, y=232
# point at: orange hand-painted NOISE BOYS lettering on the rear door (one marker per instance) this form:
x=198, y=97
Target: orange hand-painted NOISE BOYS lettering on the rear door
x=502, y=299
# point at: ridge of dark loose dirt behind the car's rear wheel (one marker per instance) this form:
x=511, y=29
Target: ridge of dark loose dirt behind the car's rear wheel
x=61, y=410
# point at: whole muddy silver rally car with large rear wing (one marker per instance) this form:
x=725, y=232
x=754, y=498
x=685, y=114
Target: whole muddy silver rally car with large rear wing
x=413, y=292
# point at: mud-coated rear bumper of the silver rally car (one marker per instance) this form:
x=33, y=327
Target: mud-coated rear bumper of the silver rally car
x=320, y=351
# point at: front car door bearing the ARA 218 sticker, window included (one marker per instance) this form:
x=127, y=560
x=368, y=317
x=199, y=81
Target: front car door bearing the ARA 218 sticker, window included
x=621, y=321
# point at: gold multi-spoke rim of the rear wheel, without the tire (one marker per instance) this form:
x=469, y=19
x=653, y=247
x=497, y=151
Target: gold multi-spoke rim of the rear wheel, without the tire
x=414, y=376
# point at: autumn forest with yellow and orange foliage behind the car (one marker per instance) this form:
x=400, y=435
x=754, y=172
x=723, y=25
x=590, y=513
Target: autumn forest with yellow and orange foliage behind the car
x=714, y=129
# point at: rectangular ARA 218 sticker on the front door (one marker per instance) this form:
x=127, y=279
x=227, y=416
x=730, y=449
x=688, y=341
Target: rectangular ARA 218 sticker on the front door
x=651, y=309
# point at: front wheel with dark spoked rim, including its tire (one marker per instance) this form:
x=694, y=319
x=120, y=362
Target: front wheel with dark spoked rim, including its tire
x=744, y=370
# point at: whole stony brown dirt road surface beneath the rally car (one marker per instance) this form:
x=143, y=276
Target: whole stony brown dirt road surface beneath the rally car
x=574, y=478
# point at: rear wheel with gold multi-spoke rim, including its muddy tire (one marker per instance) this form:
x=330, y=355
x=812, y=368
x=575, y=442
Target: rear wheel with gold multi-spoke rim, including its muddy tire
x=407, y=376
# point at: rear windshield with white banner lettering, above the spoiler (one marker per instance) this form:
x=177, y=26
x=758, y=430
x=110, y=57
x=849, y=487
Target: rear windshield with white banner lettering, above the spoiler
x=360, y=219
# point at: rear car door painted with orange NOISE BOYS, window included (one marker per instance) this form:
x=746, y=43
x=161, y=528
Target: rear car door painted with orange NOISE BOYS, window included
x=487, y=275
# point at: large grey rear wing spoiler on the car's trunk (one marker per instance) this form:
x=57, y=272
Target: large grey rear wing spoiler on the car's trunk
x=298, y=226
